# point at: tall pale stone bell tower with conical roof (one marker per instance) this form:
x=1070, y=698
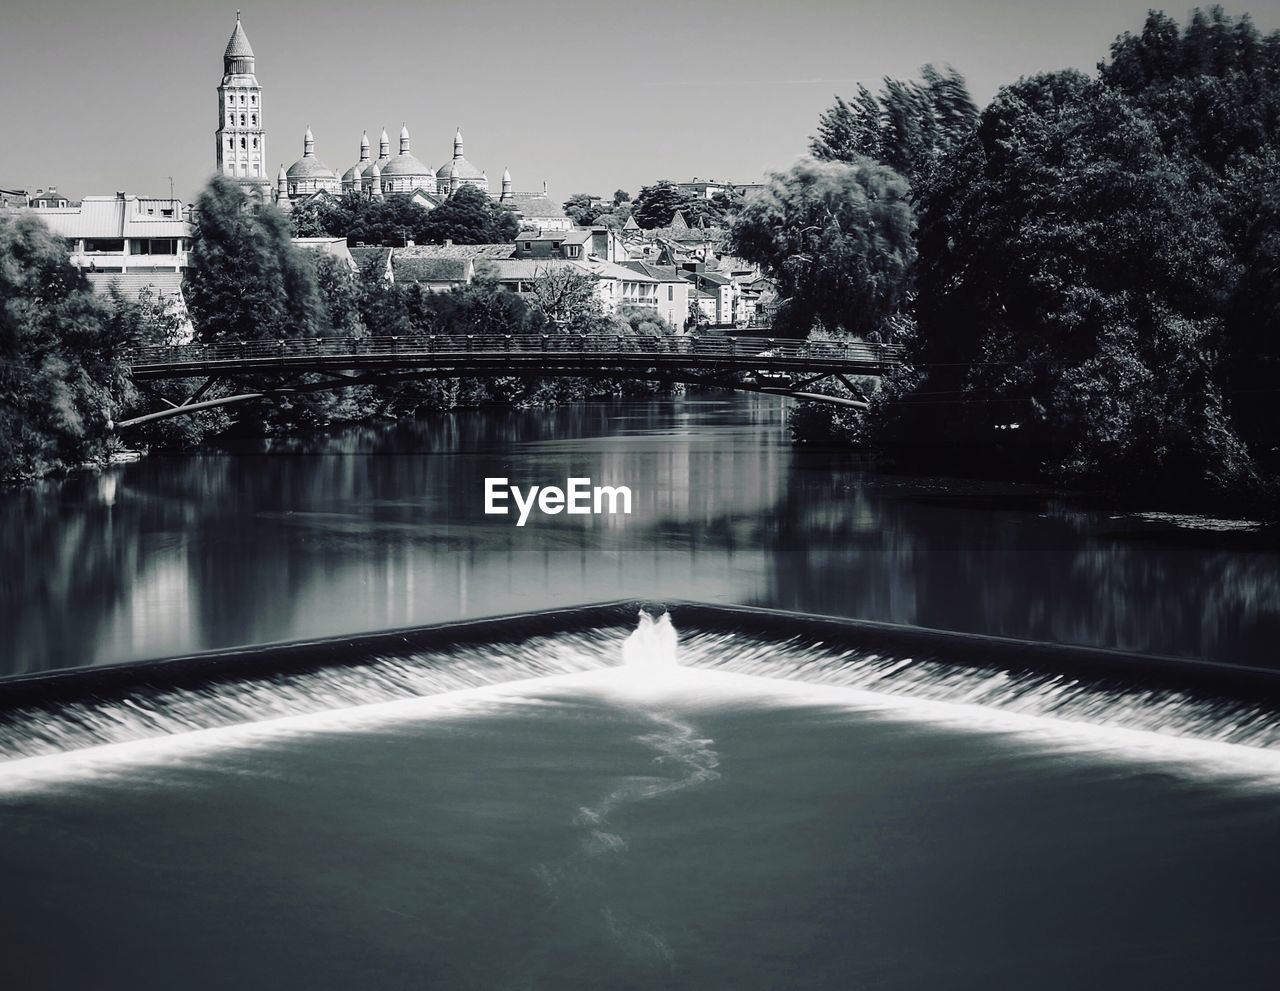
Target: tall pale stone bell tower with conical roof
x=241, y=135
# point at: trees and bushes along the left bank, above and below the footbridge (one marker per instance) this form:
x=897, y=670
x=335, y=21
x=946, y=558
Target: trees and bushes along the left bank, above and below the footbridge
x=65, y=351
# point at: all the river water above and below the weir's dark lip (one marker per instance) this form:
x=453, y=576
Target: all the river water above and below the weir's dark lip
x=755, y=818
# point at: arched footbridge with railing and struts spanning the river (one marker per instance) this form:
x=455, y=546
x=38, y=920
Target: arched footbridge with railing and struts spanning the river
x=783, y=368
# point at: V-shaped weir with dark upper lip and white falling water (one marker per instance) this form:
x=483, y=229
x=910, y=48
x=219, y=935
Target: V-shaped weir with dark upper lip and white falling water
x=74, y=710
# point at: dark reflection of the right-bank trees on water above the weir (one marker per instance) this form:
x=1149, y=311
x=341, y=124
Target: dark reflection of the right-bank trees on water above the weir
x=906, y=551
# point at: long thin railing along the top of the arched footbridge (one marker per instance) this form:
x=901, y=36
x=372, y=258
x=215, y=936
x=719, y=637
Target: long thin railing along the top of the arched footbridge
x=445, y=345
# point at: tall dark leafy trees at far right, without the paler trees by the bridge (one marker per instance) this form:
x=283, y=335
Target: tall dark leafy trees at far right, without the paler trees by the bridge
x=1099, y=264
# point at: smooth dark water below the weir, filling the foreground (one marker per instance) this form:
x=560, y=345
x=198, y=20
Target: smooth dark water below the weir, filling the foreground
x=596, y=832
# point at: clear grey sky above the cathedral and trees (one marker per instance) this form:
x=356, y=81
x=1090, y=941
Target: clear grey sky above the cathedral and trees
x=586, y=95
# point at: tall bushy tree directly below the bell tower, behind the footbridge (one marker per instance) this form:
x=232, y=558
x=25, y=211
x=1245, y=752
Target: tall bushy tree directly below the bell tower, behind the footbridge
x=246, y=281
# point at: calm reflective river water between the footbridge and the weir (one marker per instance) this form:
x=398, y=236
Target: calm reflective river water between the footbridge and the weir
x=385, y=527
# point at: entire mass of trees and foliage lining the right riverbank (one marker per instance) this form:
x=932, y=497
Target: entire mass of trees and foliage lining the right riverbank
x=1095, y=294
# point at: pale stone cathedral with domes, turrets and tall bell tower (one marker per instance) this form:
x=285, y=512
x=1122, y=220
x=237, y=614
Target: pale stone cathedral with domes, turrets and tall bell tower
x=243, y=157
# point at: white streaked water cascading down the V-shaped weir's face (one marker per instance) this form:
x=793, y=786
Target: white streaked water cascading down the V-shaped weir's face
x=387, y=675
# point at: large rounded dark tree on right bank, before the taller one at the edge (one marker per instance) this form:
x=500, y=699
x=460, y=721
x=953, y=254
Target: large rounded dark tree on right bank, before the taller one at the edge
x=1073, y=278
